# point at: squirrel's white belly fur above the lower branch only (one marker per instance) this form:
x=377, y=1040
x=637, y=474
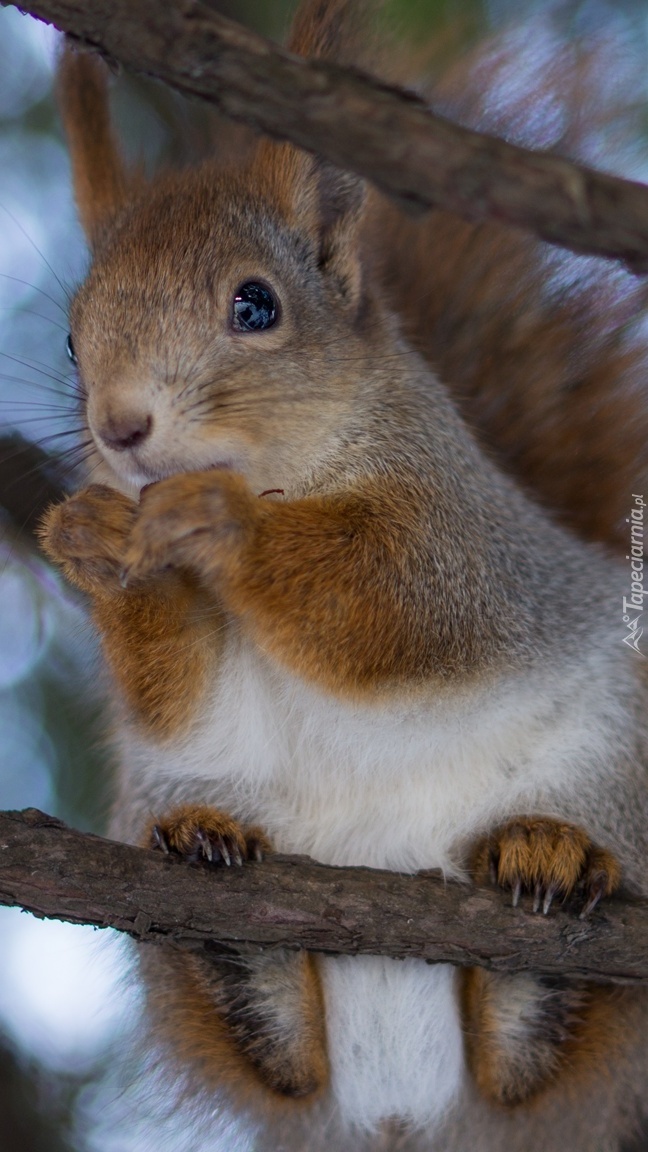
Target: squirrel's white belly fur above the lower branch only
x=397, y=785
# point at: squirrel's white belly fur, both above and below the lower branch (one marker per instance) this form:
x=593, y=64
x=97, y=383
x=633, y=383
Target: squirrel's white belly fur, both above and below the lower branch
x=398, y=787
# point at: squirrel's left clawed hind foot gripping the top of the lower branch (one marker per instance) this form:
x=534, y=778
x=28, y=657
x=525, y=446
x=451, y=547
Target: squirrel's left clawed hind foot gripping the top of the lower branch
x=201, y=832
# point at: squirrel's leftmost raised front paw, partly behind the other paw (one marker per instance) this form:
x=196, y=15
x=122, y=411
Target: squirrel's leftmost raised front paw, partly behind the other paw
x=88, y=534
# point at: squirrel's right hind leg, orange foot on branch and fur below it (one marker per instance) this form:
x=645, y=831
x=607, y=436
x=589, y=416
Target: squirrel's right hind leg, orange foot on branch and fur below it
x=524, y=1033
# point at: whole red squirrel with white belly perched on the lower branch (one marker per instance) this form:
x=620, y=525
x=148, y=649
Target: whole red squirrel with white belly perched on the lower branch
x=355, y=607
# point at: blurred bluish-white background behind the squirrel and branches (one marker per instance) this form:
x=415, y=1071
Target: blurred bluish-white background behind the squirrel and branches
x=70, y=1072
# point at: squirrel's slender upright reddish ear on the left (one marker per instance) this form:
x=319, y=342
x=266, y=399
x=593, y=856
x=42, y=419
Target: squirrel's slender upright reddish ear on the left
x=100, y=176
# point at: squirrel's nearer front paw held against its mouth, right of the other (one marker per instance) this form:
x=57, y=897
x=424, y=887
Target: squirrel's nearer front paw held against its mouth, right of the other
x=189, y=521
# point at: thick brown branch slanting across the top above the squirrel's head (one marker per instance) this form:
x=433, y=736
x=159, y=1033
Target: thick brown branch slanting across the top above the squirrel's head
x=385, y=134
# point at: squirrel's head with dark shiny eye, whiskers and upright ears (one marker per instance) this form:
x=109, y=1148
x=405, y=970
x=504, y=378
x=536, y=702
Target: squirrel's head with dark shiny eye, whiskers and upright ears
x=224, y=321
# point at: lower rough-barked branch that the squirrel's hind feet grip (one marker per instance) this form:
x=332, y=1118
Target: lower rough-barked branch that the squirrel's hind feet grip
x=54, y=871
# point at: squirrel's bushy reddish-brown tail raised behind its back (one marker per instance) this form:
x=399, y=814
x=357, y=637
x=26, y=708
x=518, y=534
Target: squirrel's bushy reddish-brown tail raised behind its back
x=554, y=381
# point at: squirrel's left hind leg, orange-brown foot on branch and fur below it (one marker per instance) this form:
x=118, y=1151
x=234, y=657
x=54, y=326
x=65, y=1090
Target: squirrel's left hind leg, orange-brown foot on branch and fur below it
x=248, y=1025
